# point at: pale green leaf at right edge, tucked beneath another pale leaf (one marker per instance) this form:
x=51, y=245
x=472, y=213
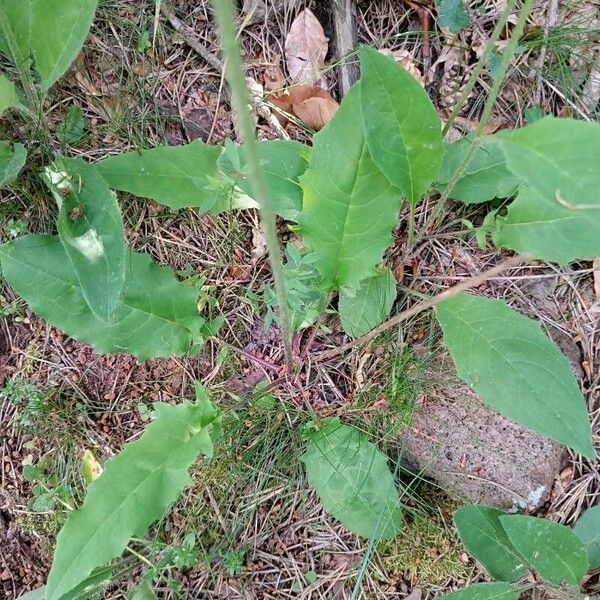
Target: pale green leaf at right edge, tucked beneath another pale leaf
x=548, y=230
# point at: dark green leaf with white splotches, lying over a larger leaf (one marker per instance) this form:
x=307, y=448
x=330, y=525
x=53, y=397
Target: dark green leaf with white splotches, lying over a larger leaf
x=90, y=228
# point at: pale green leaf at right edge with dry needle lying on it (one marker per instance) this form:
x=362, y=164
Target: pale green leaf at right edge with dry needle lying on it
x=558, y=158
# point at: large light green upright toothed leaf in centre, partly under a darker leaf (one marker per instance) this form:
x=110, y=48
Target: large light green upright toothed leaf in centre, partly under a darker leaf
x=349, y=207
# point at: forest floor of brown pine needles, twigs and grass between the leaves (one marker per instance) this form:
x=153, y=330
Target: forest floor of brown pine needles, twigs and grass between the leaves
x=251, y=527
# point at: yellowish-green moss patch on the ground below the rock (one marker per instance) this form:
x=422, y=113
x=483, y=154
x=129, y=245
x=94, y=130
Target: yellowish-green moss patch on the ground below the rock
x=427, y=552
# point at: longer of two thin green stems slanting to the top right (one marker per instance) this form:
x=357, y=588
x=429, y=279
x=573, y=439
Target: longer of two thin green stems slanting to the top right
x=485, y=115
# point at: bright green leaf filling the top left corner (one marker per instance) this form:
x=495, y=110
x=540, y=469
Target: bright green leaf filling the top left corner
x=52, y=31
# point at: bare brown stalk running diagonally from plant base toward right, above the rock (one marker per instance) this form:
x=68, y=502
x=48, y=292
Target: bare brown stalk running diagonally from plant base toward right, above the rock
x=422, y=306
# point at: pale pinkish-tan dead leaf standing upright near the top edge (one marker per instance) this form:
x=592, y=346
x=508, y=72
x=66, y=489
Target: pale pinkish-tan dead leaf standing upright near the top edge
x=305, y=49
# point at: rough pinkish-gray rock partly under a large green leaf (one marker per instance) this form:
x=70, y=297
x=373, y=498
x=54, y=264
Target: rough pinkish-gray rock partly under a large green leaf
x=476, y=454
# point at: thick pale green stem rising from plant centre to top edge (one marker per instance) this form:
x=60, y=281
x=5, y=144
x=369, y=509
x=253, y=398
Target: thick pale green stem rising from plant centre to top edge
x=223, y=10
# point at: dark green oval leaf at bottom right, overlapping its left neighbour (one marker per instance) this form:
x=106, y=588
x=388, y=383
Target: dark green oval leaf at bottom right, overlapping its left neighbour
x=552, y=550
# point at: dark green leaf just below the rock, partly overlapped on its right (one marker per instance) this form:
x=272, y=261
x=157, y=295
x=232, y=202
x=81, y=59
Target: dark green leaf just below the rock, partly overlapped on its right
x=483, y=536
